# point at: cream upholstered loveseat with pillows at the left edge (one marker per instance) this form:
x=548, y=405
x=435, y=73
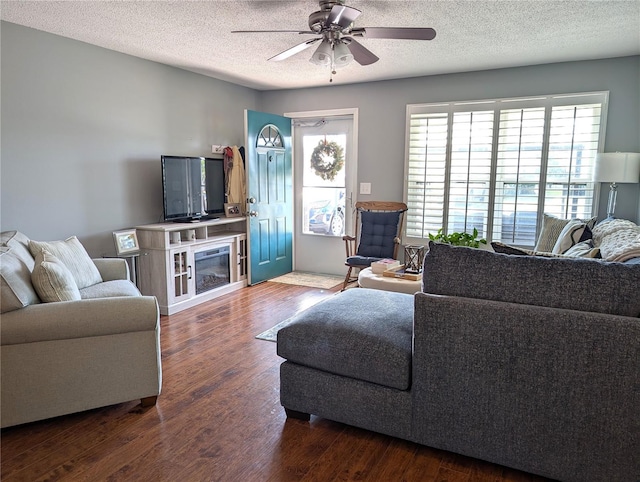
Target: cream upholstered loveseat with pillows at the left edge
x=99, y=348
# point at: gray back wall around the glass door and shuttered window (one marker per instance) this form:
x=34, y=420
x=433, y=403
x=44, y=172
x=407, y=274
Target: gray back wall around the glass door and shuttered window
x=382, y=107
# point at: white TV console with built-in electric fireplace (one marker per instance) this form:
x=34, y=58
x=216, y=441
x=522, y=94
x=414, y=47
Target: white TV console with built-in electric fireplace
x=183, y=264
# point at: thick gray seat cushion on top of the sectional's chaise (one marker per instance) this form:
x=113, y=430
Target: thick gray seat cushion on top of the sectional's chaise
x=359, y=333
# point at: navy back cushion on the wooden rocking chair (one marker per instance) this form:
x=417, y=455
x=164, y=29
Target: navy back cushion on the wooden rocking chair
x=378, y=233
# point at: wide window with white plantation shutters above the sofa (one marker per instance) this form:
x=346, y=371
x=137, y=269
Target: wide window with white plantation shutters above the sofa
x=498, y=165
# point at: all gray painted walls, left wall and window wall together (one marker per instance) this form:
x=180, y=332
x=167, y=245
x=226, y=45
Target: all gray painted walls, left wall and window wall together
x=83, y=128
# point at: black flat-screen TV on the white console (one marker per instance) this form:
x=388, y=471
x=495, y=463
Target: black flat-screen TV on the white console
x=192, y=188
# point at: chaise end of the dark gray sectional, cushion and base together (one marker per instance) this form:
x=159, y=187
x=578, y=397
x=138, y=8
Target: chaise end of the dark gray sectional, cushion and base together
x=358, y=344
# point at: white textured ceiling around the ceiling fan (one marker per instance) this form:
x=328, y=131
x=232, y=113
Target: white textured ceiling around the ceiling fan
x=471, y=35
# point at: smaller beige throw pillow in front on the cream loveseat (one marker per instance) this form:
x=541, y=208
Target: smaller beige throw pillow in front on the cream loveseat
x=52, y=280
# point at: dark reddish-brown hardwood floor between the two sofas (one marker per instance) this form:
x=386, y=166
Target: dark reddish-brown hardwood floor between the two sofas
x=219, y=417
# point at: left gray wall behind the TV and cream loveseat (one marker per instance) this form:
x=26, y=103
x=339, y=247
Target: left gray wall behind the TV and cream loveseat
x=83, y=129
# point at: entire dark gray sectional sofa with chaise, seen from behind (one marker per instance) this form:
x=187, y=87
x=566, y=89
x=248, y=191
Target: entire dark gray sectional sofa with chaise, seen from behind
x=528, y=362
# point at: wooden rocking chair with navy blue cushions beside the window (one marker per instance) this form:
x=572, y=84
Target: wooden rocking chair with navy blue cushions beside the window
x=378, y=228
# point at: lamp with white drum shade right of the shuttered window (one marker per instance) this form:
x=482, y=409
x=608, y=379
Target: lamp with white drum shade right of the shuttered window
x=616, y=168
